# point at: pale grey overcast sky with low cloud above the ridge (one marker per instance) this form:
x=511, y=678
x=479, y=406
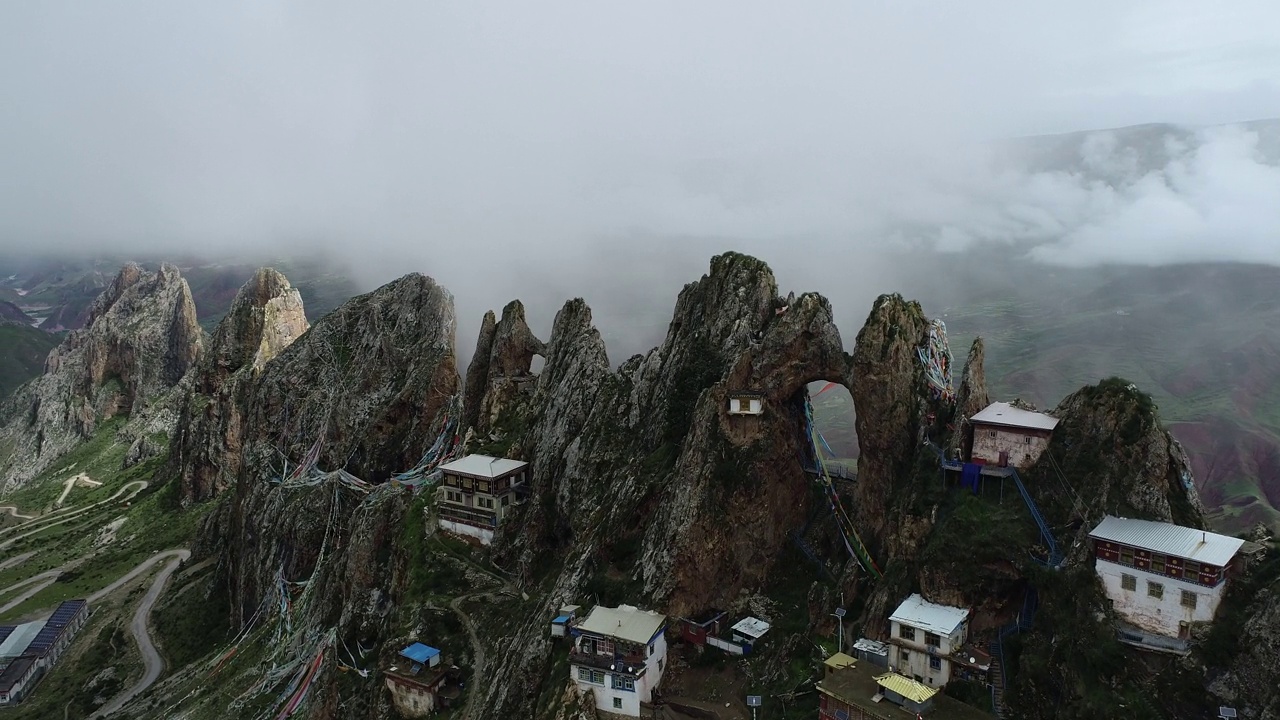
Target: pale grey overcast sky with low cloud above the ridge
x=508, y=148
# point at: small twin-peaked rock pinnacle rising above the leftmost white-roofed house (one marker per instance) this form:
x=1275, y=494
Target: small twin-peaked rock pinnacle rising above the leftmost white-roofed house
x=501, y=368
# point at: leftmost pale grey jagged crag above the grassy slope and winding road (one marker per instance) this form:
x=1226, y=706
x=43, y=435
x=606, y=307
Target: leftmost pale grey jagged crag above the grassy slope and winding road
x=140, y=341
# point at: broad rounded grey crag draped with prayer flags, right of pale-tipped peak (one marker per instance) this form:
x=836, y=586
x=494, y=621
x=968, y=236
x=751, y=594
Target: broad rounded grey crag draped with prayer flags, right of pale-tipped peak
x=369, y=382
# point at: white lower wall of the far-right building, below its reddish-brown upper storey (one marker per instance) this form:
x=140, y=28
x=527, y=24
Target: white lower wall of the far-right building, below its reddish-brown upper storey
x=1158, y=616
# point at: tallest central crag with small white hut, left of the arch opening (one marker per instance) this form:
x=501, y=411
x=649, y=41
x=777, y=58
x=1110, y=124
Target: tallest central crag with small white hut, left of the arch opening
x=647, y=490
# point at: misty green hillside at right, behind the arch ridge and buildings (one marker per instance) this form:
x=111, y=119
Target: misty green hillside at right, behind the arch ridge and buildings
x=1204, y=341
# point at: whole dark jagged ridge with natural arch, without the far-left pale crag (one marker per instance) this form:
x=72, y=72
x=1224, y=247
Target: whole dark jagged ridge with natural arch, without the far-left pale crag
x=644, y=489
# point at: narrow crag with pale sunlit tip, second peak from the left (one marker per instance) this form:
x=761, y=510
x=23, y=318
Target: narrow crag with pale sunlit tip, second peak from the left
x=264, y=320
